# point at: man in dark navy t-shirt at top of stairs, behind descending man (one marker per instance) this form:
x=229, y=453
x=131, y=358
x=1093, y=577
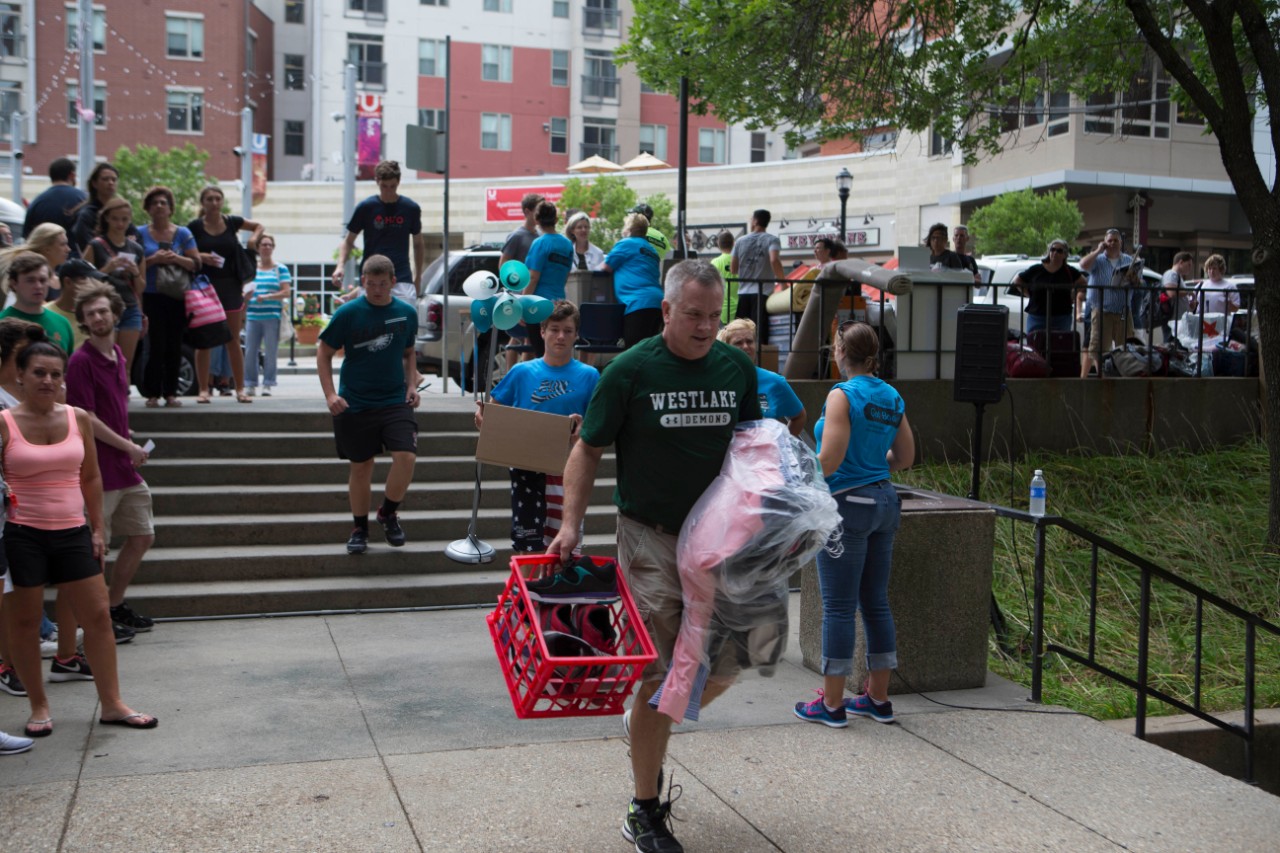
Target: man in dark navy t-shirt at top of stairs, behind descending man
x=390, y=222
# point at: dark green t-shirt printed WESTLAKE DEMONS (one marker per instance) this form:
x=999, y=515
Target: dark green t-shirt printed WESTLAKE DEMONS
x=670, y=422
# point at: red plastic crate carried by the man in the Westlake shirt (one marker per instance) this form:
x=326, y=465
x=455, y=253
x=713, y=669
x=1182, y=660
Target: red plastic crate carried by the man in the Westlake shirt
x=542, y=686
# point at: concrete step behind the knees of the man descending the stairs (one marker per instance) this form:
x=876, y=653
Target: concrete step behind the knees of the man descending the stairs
x=234, y=473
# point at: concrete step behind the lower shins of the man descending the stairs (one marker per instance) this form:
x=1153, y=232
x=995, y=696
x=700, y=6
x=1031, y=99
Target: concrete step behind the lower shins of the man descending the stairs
x=332, y=498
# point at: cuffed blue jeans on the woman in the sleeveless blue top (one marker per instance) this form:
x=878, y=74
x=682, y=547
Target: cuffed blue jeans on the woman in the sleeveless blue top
x=858, y=580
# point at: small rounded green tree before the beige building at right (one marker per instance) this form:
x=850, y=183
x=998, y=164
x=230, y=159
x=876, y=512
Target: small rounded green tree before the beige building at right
x=1023, y=222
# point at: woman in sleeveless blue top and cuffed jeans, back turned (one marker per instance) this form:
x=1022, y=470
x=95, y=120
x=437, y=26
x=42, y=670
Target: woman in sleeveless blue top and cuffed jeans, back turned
x=863, y=435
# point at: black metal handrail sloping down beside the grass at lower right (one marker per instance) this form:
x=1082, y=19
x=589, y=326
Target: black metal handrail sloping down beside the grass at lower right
x=1149, y=572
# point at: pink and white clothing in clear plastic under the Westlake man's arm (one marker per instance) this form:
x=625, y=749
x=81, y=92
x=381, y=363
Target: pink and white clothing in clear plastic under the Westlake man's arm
x=764, y=518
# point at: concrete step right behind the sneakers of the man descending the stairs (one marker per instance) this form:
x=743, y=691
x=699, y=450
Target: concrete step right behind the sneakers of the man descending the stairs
x=493, y=524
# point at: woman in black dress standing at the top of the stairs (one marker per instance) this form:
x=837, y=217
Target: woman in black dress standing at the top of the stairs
x=216, y=239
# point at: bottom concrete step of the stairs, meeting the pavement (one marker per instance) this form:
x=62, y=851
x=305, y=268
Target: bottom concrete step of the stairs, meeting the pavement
x=369, y=589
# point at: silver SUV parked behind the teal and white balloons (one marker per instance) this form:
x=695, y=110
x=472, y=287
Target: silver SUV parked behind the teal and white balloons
x=432, y=321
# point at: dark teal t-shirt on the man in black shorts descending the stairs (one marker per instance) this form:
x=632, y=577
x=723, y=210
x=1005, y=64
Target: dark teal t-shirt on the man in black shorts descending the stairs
x=373, y=340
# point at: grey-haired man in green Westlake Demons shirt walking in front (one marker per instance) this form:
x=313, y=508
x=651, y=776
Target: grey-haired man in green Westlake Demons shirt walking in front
x=669, y=405
